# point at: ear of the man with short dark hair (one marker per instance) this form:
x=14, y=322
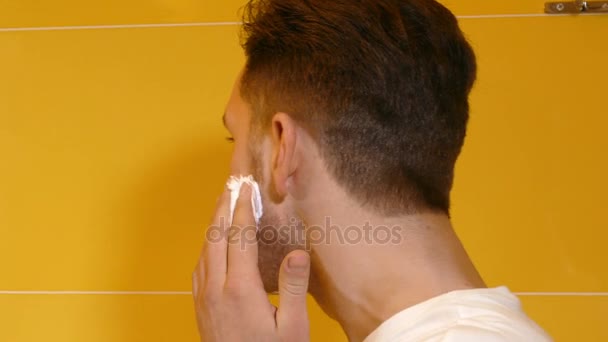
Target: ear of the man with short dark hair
x=284, y=159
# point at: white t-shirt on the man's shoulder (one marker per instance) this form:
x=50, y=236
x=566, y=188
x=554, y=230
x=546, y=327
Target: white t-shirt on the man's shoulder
x=488, y=315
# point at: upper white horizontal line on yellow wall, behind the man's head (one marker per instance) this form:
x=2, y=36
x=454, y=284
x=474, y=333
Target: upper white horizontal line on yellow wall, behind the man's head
x=234, y=23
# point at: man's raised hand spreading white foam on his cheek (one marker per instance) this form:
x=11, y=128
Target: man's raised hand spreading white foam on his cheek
x=230, y=301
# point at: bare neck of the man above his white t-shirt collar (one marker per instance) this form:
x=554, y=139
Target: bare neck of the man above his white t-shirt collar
x=362, y=283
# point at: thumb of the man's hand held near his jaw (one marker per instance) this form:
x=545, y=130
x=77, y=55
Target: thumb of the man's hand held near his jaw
x=292, y=316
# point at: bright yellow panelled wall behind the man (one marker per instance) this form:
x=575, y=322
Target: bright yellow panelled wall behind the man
x=112, y=153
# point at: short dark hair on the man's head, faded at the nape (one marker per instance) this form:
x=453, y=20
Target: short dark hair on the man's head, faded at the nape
x=381, y=85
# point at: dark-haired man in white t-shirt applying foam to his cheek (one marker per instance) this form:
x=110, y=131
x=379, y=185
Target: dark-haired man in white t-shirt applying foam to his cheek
x=350, y=115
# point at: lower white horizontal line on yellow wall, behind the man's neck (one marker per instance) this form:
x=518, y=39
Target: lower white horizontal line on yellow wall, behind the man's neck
x=187, y=293
